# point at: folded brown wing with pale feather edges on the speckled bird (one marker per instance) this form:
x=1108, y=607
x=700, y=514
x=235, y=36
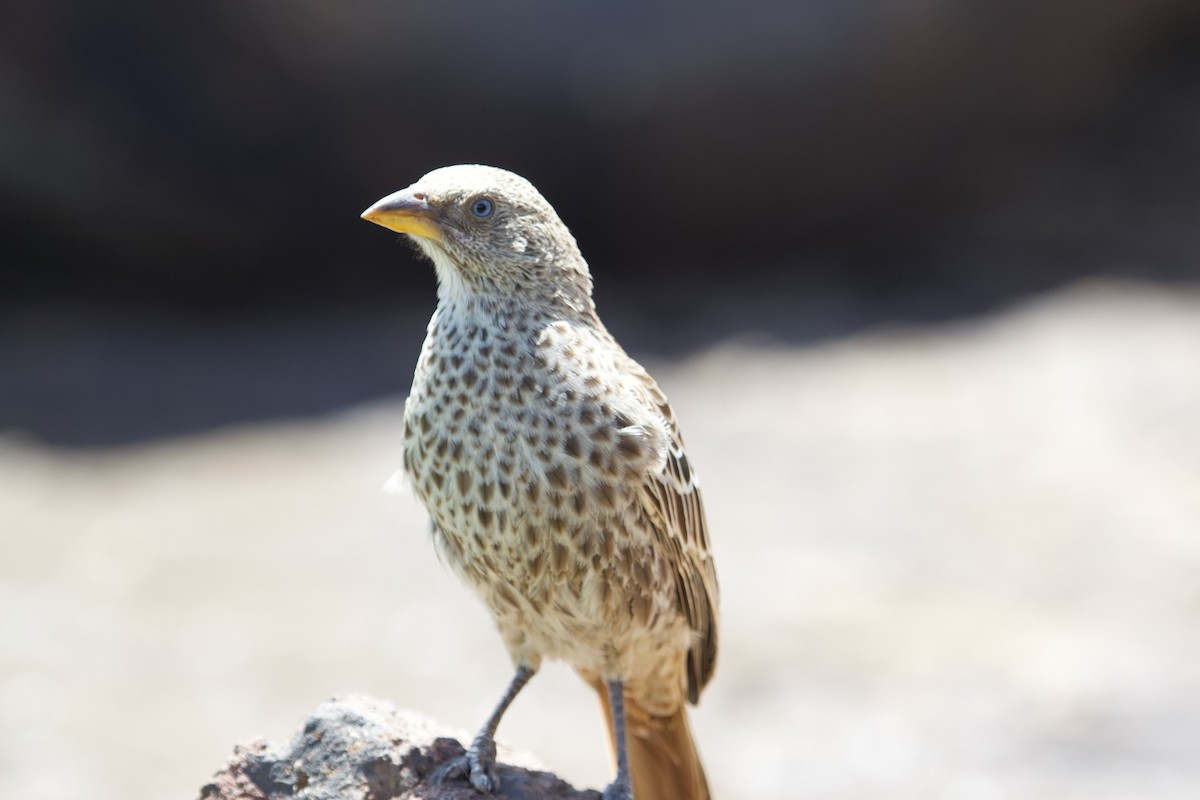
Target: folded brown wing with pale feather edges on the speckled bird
x=671, y=500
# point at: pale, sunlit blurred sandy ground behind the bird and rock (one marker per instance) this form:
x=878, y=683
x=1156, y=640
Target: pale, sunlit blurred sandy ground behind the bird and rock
x=958, y=562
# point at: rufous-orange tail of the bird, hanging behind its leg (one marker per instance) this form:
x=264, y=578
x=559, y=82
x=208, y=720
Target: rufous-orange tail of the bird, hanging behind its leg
x=663, y=760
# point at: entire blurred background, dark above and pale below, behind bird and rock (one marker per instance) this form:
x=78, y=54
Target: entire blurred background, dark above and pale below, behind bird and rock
x=920, y=278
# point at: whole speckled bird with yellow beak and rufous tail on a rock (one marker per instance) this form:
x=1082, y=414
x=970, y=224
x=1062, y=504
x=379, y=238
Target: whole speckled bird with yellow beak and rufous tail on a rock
x=556, y=478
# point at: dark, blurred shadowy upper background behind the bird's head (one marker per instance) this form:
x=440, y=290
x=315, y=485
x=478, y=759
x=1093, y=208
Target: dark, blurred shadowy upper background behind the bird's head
x=182, y=182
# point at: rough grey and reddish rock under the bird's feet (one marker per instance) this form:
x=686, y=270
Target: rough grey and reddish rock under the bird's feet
x=357, y=748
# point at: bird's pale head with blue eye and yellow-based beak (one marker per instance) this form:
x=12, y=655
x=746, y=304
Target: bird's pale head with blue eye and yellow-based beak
x=487, y=231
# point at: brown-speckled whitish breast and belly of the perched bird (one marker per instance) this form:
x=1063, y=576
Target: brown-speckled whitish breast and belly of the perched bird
x=525, y=462
